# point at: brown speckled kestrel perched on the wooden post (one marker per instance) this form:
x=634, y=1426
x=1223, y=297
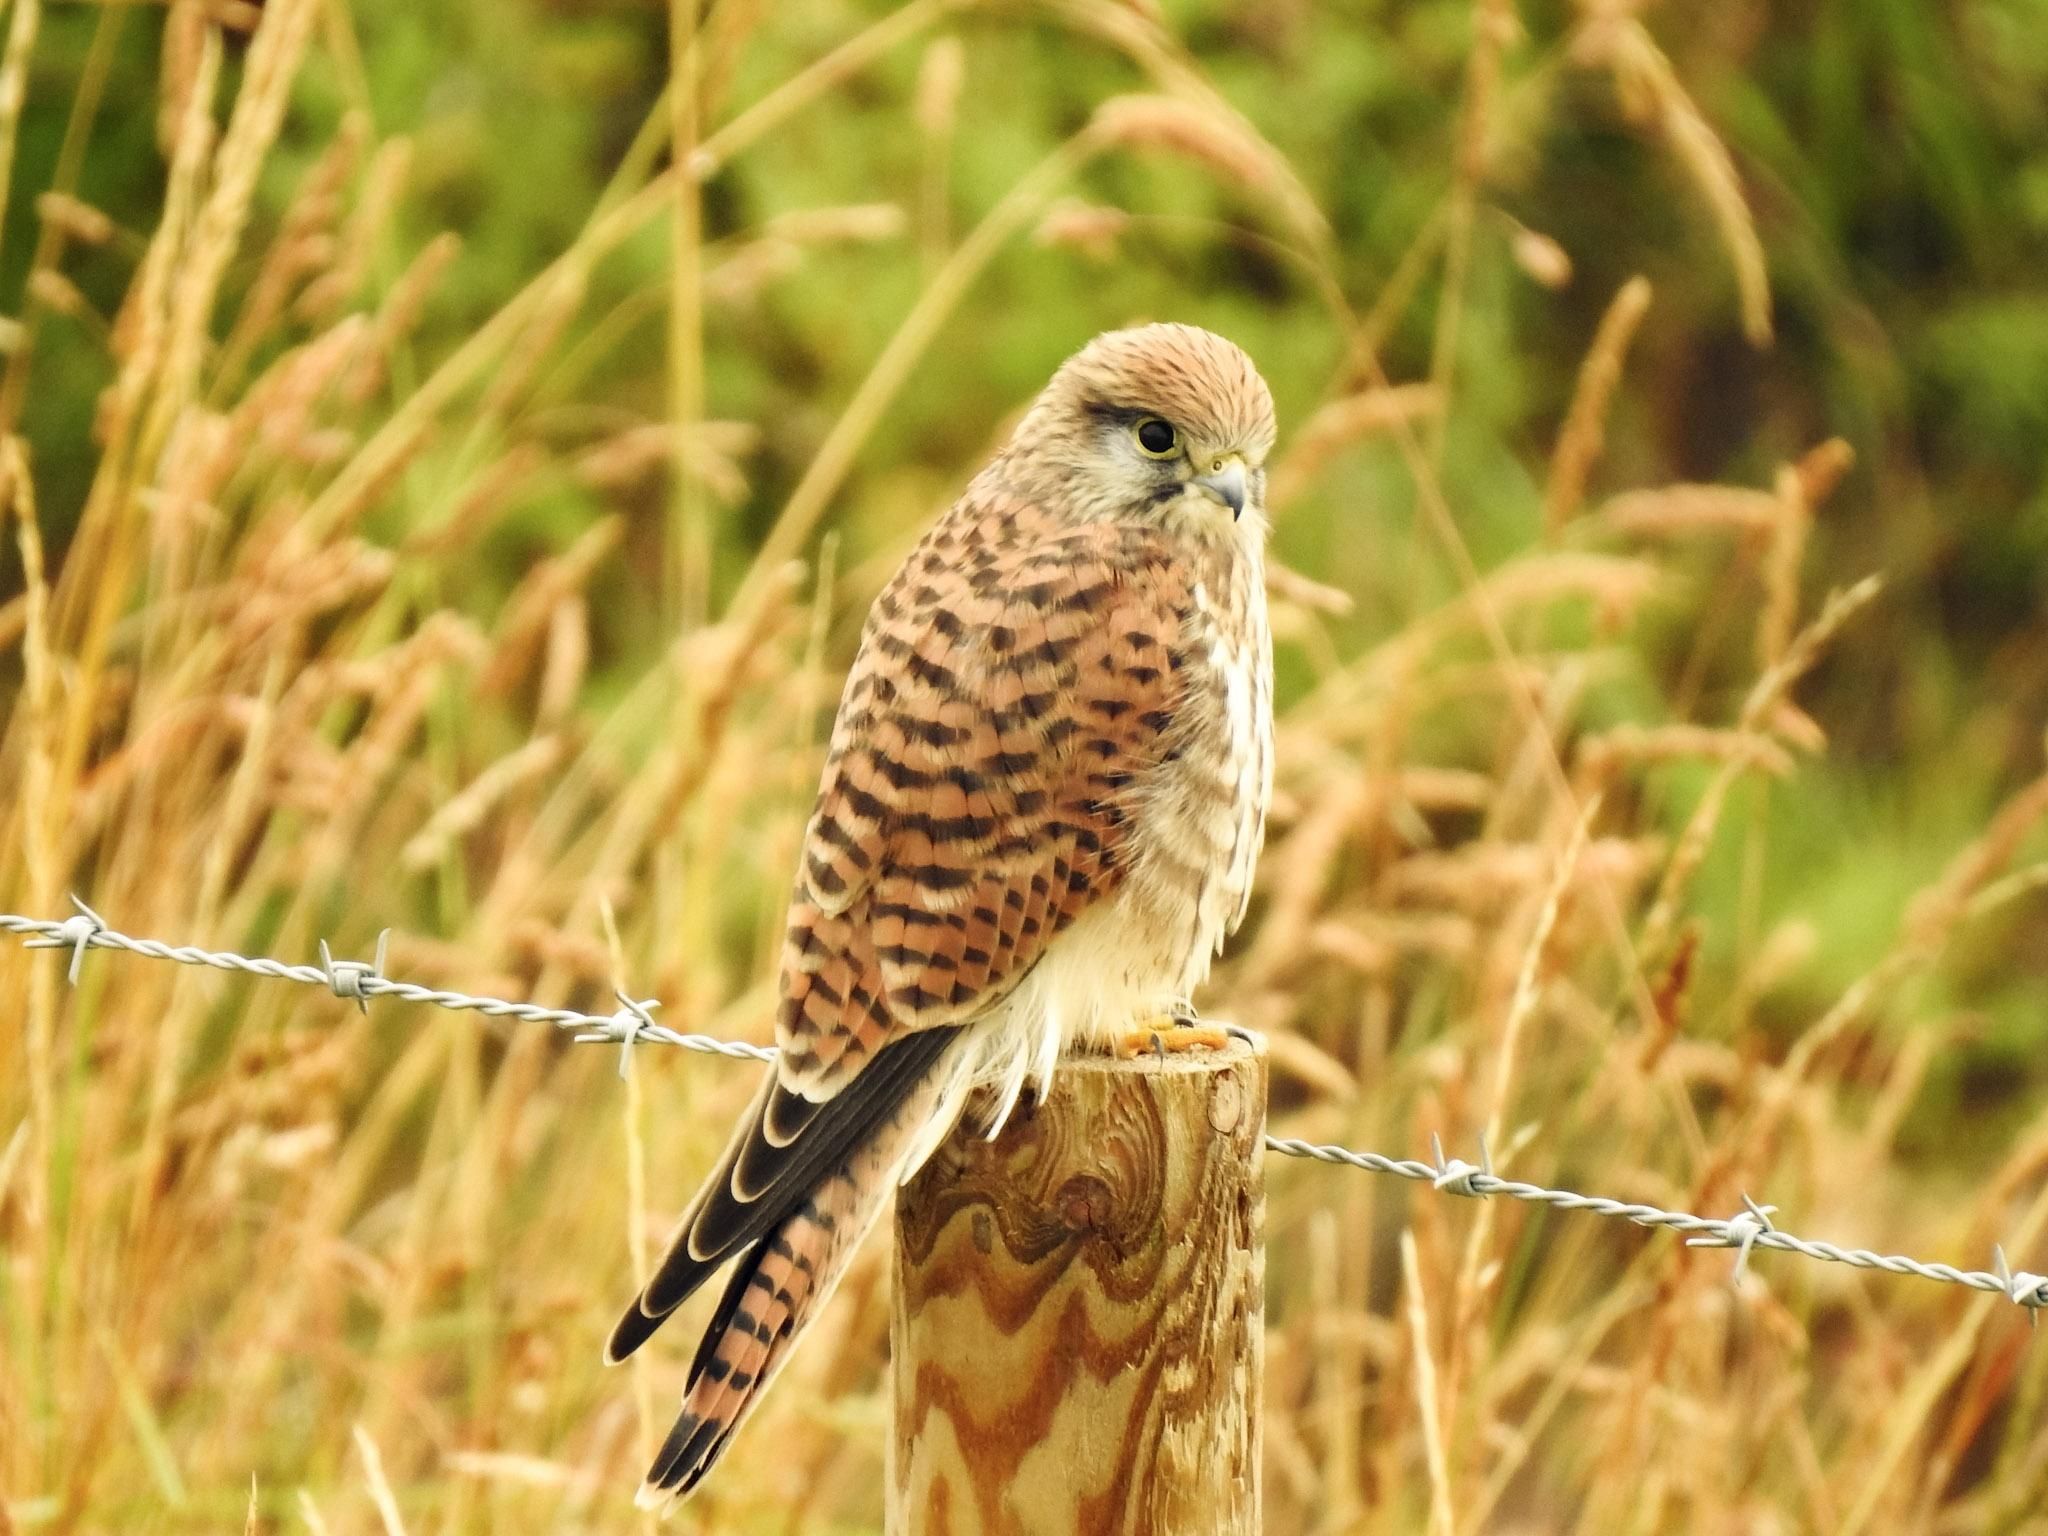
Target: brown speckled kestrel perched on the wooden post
x=1039, y=816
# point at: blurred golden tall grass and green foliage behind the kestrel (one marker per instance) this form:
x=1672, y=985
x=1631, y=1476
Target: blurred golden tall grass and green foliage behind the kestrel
x=431, y=503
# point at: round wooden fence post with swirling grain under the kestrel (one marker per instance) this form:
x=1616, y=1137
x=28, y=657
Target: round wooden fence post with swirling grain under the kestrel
x=1078, y=1312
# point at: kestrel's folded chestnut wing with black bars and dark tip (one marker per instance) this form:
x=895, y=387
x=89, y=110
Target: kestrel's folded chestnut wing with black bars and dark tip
x=1011, y=689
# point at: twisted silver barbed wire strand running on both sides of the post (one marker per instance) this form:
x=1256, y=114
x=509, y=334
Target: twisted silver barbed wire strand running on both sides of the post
x=634, y=1023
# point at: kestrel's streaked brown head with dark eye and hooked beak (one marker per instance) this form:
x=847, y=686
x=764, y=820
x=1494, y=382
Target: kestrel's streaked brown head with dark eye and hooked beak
x=1164, y=423
